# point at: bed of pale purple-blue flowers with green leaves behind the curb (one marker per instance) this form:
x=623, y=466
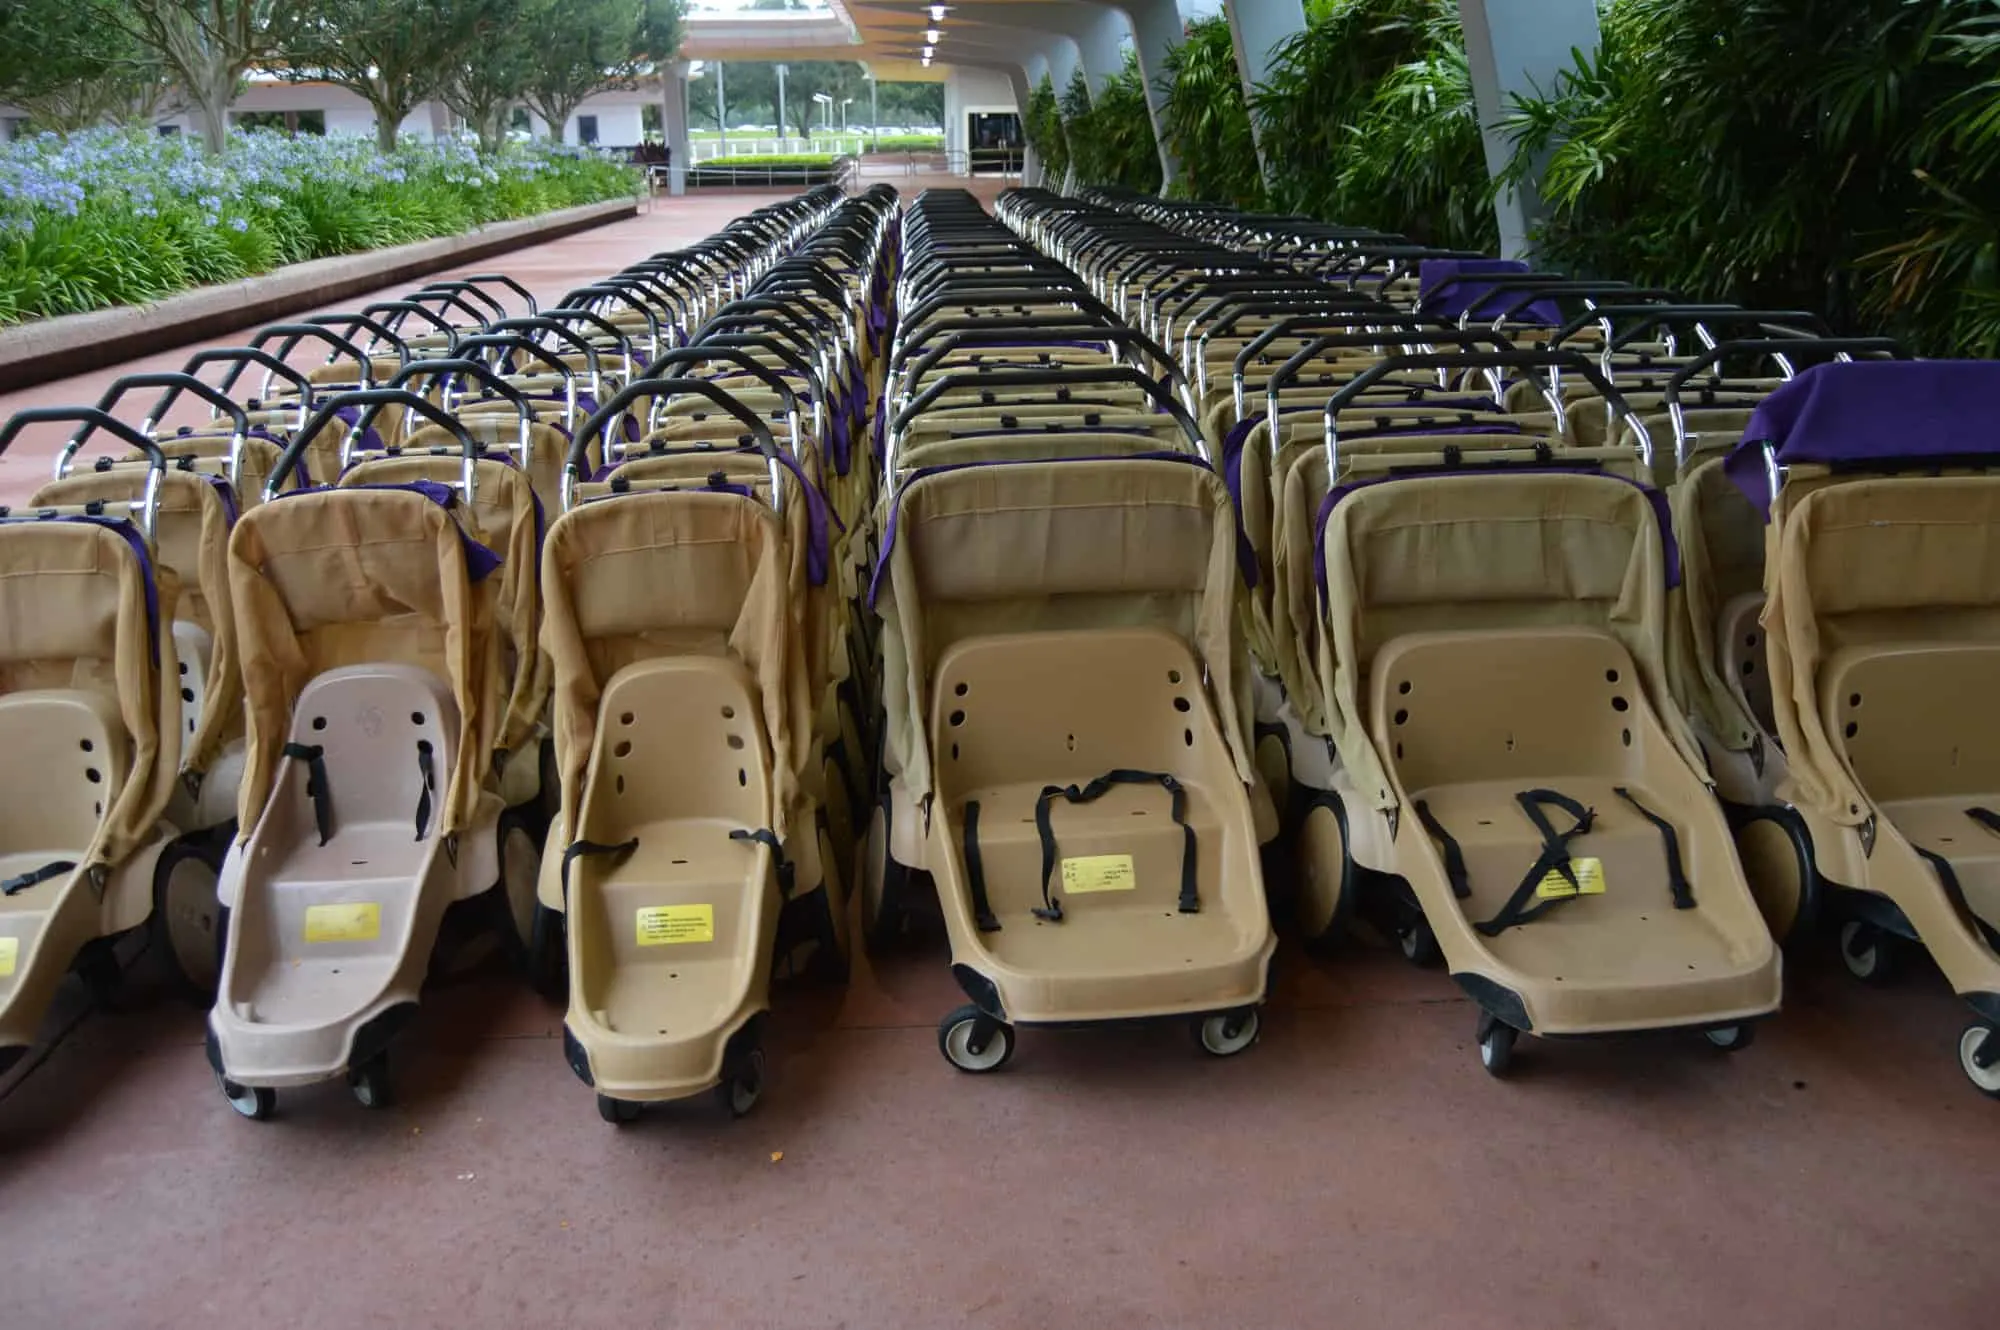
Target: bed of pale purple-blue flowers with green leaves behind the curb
x=113, y=217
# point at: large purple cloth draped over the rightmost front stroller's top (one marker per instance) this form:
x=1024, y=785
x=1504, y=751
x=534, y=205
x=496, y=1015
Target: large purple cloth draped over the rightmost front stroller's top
x=1871, y=411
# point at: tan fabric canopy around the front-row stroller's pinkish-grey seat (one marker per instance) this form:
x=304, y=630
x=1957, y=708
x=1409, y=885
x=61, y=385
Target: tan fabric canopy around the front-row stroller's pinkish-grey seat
x=333, y=579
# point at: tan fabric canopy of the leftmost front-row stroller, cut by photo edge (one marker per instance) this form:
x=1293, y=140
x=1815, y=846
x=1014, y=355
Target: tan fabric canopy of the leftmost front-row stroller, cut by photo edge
x=75, y=603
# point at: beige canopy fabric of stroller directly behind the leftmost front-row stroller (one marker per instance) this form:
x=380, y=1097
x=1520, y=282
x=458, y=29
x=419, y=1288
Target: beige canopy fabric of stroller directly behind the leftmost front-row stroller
x=193, y=539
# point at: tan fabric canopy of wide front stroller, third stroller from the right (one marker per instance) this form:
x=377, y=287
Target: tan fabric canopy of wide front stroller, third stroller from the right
x=1049, y=547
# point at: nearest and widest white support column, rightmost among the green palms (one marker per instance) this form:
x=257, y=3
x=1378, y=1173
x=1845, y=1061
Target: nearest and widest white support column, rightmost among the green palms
x=1517, y=47
